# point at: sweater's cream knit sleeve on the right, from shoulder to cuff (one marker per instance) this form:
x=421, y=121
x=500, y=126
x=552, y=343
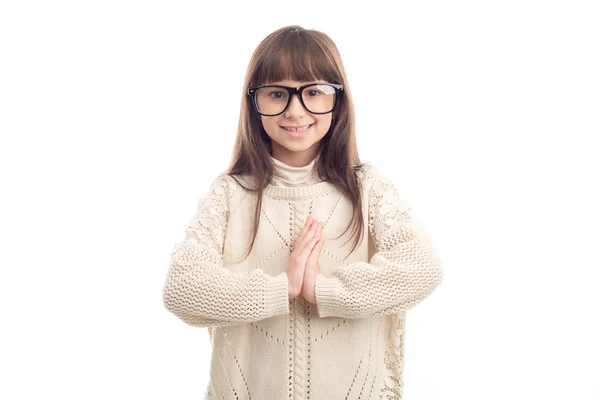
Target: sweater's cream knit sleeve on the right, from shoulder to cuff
x=404, y=270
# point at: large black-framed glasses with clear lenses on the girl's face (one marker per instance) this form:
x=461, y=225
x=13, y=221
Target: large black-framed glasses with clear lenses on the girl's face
x=317, y=98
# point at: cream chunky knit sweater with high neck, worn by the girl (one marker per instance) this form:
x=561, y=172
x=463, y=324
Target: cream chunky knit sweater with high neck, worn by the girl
x=268, y=347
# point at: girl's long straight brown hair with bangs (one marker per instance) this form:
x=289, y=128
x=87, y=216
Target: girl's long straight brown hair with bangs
x=295, y=53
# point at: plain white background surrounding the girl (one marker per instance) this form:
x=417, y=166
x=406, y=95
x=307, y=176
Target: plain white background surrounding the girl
x=116, y=115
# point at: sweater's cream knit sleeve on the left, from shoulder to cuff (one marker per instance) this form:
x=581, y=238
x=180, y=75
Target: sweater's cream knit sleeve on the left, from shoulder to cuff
x=200, y=290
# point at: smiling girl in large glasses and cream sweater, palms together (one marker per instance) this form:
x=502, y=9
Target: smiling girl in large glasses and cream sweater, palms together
x=275, y=264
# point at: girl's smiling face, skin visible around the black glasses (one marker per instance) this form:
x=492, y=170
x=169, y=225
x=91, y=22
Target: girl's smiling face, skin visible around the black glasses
x=296, y=149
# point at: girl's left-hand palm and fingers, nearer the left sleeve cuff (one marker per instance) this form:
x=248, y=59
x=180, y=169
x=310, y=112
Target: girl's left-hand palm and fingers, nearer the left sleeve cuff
x=297, y=262
